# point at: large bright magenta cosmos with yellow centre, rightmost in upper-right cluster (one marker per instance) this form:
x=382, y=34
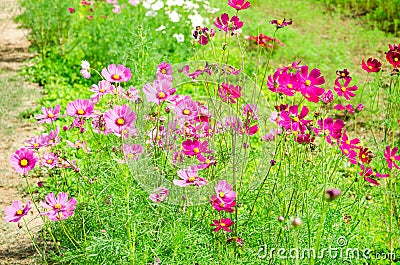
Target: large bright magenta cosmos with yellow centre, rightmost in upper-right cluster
x=310, y=83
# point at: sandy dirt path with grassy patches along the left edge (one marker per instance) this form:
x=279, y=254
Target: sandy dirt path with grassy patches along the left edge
x=16, y=97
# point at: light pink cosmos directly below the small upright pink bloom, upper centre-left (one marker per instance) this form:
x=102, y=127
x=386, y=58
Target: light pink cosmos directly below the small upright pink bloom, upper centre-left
x=160, y=91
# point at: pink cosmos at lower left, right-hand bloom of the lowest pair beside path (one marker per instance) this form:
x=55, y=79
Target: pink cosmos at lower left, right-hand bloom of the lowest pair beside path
x=59, y=208
